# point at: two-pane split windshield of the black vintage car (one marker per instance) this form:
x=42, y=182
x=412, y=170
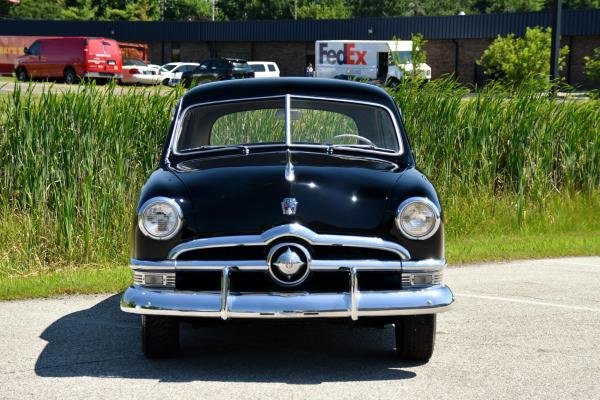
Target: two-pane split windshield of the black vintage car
x=311, y=121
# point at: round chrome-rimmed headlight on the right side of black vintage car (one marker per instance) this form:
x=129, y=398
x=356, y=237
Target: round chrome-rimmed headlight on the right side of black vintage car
x=418, y=218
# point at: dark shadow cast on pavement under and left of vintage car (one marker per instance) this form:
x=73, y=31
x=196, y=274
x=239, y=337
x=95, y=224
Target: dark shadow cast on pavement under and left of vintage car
x=102, y=341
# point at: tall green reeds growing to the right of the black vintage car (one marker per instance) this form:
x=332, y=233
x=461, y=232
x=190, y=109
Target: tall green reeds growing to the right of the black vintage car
x=520, y=143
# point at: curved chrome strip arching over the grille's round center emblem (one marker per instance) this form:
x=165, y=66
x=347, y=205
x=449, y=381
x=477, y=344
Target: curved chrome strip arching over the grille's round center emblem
x=293, y=230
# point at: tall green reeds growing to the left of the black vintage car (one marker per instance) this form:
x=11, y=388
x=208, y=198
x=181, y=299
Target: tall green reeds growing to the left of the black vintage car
x=71, y=167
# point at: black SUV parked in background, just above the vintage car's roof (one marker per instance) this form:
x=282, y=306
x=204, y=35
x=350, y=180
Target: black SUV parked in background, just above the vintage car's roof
x=217, y=69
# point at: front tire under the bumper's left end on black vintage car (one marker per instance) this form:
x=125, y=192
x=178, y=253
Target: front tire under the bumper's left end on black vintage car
x=160, y=336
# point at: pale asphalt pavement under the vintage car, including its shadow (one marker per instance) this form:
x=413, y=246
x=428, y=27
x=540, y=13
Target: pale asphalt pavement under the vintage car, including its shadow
x=518, y=330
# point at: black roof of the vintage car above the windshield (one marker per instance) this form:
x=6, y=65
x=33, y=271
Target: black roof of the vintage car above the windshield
x=310, y=87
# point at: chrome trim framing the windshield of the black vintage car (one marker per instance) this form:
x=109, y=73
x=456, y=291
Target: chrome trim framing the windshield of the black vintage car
x=182, y=113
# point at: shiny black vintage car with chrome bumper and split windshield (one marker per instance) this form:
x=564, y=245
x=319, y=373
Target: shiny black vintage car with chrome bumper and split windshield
x=288, y=198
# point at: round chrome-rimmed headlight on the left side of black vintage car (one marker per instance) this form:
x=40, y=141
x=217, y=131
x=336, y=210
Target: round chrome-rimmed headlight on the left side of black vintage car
x=160, y=218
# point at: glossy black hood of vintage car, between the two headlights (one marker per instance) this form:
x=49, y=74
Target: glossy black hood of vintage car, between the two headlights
x=243, y=194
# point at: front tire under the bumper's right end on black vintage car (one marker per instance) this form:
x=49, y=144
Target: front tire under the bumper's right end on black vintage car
x=415, y=337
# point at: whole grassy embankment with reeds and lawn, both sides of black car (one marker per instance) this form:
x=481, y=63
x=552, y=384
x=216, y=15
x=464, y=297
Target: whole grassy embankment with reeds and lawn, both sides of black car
x=519, y=177
